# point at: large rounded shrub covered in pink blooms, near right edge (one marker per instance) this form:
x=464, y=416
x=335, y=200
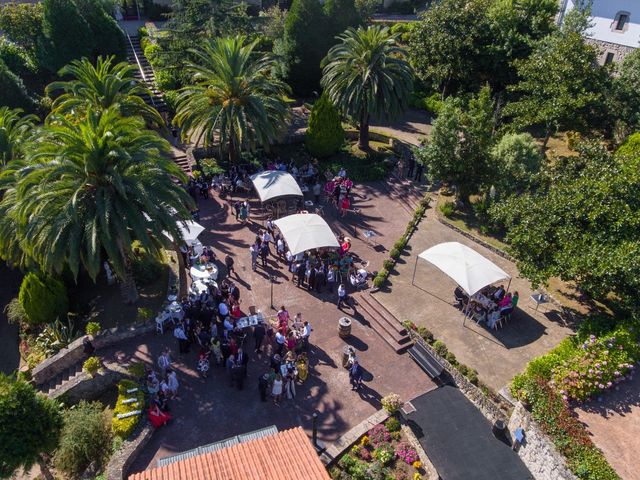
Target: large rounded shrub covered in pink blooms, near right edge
x=599, y=364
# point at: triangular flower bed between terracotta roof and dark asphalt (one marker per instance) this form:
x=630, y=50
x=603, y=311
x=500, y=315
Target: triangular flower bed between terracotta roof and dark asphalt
x=384, y=453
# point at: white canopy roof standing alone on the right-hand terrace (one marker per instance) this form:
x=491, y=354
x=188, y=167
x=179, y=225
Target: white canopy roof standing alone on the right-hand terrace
x=467, y=267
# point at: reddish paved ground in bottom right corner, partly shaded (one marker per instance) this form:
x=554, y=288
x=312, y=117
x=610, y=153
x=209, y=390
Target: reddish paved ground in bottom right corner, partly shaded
x=614, y=425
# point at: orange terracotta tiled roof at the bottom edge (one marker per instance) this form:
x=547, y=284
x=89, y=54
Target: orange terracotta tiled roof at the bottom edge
x=286, y=455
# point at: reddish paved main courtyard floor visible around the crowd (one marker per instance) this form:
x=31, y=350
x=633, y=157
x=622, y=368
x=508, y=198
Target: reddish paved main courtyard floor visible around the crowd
x=209, y=409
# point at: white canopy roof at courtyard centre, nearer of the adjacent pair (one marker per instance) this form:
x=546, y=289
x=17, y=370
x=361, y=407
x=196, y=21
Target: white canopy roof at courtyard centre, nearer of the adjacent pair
x=306, y=231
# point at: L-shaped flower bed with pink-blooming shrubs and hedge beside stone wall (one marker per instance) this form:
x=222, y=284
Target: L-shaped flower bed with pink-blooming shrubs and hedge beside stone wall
x=601, y=356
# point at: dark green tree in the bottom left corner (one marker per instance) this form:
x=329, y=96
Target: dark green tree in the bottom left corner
x=30, y=425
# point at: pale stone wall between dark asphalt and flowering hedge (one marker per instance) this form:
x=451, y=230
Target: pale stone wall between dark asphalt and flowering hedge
x=537, y=451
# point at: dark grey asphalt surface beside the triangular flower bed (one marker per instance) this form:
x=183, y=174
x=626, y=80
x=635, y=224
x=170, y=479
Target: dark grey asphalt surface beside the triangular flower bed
x=458, y=439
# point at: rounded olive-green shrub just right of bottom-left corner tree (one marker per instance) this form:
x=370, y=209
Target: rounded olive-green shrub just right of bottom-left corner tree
x=85, y=438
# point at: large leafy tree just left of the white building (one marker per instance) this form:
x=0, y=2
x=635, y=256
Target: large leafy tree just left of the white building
x=561, y=85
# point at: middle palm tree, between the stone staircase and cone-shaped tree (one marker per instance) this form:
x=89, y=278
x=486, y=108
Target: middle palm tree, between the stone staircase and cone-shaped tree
x=234, y=99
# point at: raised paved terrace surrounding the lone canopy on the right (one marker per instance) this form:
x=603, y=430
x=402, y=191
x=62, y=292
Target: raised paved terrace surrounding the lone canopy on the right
x=496, y=355
